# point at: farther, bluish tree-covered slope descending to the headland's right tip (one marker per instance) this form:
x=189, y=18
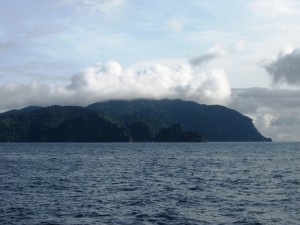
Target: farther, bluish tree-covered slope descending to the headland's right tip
x=217, y=122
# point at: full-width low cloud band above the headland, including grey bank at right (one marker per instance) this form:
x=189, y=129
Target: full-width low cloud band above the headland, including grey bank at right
x=274, y=111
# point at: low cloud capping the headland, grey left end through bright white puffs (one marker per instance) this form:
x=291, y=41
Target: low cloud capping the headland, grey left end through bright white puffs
x=109, y=80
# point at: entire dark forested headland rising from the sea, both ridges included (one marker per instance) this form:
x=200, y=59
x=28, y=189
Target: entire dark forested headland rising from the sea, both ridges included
x=122, y=121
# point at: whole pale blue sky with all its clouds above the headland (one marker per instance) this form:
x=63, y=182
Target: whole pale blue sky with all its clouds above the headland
x=244, y=55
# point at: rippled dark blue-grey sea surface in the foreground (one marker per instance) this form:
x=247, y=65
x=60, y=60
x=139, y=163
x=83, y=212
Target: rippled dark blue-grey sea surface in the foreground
x=150, y=183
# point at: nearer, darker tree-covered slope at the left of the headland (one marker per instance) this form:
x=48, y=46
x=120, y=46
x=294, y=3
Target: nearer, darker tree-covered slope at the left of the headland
x=60, y=123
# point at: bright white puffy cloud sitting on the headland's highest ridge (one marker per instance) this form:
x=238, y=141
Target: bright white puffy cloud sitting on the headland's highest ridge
x=111, y=81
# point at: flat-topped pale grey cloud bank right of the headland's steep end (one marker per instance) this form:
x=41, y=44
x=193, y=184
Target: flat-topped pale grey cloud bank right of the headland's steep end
x=274, y=111
